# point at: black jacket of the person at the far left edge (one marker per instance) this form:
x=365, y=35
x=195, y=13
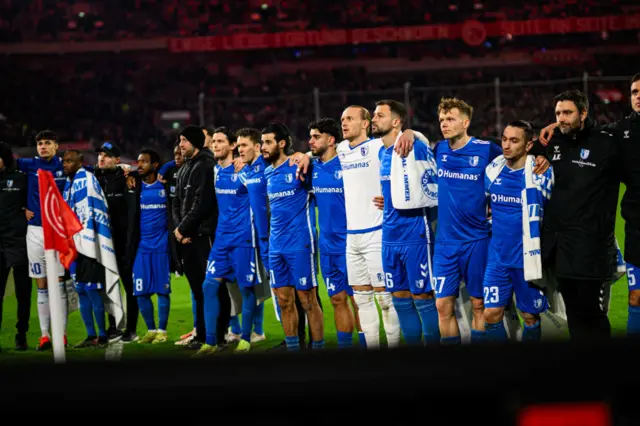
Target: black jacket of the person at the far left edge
x=13, y=224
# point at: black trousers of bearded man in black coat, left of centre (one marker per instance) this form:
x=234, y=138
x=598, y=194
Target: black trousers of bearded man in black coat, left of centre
x=194, y=259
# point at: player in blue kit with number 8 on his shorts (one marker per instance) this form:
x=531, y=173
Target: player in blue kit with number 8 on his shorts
x=148, y=245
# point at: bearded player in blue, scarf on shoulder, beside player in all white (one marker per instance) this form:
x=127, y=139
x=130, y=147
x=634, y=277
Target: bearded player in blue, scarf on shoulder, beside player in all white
x=407, y=240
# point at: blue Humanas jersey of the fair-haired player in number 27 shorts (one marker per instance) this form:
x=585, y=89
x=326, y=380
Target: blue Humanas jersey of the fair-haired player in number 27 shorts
x=462, y=205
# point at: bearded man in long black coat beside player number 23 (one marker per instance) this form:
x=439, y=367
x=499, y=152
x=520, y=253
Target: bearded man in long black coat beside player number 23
x=578, y=239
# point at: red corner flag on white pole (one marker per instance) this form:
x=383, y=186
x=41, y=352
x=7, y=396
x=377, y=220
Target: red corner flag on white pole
x=59, y=222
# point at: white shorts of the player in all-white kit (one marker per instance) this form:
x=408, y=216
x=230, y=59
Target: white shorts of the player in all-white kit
x=364, y=259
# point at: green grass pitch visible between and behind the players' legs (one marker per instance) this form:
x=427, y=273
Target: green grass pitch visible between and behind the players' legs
x=181, y=321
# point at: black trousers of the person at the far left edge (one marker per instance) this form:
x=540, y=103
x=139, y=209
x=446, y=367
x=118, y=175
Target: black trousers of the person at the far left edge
x=23, y=288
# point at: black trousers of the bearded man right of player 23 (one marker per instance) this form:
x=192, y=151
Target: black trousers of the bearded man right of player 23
x=586, y=315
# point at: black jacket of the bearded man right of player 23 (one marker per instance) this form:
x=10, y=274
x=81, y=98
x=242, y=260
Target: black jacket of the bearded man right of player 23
x=579, y=226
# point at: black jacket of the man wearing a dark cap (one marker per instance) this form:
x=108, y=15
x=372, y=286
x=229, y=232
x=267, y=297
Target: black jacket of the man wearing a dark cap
x=114, y=185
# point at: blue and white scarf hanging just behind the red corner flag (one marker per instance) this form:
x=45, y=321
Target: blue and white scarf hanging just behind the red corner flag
x=86, y=198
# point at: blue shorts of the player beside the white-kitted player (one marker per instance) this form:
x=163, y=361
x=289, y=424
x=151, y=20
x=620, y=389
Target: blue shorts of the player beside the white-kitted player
x=407, y=268
